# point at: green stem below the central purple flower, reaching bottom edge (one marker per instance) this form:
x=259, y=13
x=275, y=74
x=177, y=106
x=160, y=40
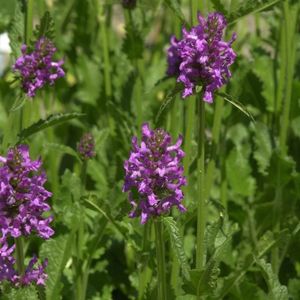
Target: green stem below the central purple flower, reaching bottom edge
x=160, y=254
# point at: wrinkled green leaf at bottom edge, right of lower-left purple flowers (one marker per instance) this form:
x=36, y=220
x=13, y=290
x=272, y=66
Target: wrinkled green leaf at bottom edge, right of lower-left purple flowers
x=57, y=251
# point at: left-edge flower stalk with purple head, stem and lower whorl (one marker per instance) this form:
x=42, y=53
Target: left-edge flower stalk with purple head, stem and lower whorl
x=22, y=207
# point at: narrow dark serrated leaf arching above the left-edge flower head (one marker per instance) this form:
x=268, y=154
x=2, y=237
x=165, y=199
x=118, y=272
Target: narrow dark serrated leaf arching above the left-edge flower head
x=52, y=120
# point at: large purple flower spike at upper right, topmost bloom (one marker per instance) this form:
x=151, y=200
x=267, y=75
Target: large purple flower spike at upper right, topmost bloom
x=201, y=57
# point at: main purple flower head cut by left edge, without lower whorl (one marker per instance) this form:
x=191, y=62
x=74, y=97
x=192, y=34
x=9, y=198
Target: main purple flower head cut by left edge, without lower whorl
x=22, y=195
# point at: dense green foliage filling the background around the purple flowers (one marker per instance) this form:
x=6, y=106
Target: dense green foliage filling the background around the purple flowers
x=116, y=83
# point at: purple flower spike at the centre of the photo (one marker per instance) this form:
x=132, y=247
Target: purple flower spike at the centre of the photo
x=154, y=174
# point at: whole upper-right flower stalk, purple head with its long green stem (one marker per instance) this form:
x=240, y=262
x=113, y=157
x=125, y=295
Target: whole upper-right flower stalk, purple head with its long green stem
x=201, y=59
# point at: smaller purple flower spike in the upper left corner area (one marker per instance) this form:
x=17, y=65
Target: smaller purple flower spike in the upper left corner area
x=37, y=68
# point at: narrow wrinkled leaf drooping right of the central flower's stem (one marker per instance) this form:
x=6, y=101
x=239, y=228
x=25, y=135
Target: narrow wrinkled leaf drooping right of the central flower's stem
x=177, y=245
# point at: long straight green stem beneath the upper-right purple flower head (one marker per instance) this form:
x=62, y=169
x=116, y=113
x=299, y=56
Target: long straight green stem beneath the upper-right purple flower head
x=201, y=206
